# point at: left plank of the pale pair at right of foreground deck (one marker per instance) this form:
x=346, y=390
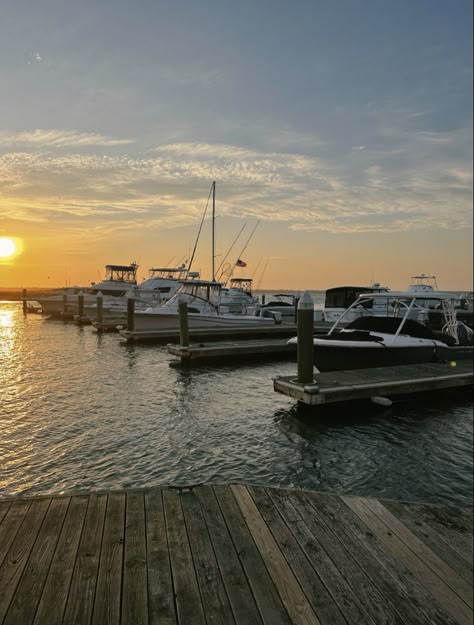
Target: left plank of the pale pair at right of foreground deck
x=443, y=593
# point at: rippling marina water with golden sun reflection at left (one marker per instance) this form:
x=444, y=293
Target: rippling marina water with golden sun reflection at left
x=80, y=411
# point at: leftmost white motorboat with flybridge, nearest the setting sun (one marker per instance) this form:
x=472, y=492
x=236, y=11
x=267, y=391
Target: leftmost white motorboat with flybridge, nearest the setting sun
x=117, y=281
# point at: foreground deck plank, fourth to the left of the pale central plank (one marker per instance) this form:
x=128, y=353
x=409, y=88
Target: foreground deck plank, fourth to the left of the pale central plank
x=188, y=600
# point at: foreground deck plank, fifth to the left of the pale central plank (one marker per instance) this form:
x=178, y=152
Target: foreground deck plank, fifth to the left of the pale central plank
x=160, y=587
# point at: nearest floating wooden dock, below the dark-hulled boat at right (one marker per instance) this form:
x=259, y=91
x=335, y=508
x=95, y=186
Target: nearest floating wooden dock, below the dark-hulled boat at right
x=340, y=386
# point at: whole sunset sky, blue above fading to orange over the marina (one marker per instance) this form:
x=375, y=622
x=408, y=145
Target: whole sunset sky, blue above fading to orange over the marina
x=343, y=129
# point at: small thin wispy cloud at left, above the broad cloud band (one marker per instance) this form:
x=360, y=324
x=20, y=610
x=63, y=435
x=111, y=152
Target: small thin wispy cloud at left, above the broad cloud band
x=60, y=138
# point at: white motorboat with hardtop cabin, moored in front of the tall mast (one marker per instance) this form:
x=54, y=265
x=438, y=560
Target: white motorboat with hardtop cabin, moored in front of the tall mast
x=203, y=299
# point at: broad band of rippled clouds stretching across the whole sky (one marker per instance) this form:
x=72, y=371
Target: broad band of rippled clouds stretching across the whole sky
x=420, y=184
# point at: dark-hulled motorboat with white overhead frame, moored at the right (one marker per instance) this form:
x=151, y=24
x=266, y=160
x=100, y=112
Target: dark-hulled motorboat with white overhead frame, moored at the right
x=403, y=337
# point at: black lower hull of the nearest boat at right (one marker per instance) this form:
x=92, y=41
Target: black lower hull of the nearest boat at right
x=330, y=358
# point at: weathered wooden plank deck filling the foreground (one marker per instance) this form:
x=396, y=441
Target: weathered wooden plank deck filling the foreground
x=232, y=555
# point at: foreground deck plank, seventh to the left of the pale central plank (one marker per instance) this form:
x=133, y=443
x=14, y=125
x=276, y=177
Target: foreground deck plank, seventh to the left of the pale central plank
x=109, y=581
